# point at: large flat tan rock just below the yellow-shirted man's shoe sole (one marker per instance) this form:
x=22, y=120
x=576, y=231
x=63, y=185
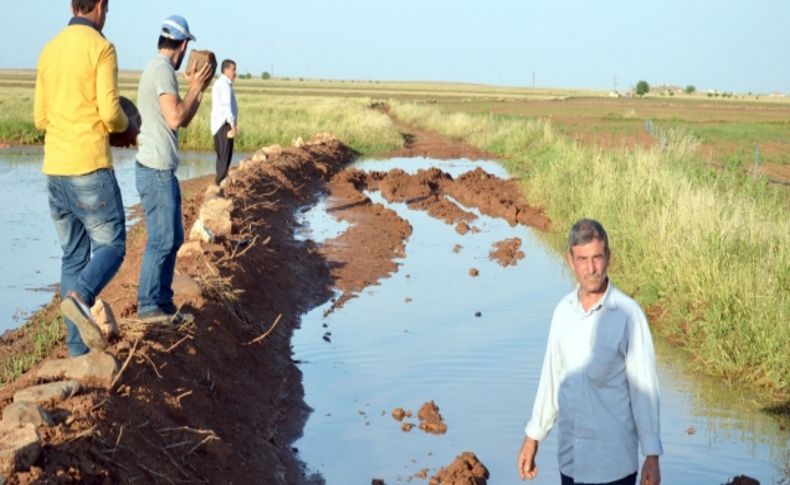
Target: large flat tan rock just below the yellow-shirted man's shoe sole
x=93, y=368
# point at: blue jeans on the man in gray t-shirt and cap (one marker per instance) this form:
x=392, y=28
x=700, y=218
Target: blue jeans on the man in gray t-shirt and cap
x=160, y=197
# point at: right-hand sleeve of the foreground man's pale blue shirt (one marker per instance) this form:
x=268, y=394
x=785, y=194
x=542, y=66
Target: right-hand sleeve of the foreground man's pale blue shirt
x=640, y=368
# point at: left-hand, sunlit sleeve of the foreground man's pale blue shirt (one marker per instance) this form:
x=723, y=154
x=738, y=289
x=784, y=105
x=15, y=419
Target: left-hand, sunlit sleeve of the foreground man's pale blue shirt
x=545, y=408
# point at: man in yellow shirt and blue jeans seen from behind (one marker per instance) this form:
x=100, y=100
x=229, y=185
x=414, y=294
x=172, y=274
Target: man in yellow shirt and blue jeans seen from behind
x=77, y=104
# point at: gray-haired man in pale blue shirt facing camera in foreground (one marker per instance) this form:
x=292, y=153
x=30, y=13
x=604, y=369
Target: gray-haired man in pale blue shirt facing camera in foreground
x=599, y=379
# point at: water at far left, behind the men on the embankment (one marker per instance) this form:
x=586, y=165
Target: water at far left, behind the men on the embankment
x=30, y=256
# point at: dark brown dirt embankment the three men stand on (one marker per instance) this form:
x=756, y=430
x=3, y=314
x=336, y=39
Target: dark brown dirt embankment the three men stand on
x=197, y=403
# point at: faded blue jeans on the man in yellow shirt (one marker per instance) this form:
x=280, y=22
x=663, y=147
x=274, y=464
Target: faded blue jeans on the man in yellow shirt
x=88, y=214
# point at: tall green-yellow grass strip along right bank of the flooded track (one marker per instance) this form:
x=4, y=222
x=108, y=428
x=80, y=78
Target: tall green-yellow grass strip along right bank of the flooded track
x=707, y=249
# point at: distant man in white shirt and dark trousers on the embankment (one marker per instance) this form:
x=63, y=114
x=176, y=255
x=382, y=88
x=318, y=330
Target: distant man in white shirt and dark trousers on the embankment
x=224, y=117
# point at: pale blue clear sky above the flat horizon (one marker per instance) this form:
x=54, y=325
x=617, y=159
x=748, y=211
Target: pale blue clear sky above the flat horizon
x=729, y=45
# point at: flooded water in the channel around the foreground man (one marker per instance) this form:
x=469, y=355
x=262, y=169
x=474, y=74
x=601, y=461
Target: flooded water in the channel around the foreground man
x=415, y=337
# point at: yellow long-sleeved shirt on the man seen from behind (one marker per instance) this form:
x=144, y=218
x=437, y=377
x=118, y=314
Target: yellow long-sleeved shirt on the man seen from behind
x=76, y=100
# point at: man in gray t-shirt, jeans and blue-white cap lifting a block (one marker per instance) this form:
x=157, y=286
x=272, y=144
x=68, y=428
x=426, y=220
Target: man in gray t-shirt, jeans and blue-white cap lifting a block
x=163, y=112
